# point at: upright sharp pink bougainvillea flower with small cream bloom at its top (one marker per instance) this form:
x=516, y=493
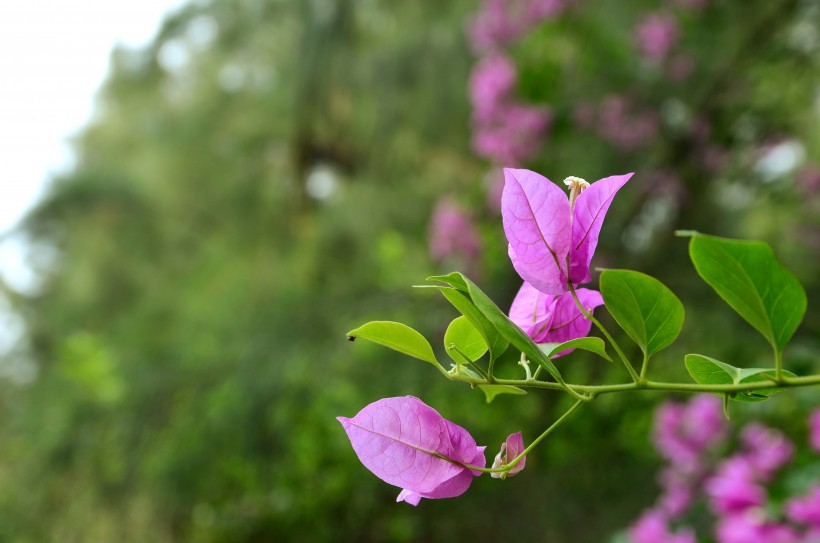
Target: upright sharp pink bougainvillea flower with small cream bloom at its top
x=552, y=237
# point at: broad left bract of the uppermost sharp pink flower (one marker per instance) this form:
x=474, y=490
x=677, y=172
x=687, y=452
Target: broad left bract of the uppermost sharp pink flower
x=535, y=213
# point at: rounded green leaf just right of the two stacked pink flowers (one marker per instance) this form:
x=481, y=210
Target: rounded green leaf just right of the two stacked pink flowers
x=644, y=307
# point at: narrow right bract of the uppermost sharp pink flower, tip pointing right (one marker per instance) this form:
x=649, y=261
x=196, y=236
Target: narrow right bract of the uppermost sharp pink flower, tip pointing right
x=588, y=216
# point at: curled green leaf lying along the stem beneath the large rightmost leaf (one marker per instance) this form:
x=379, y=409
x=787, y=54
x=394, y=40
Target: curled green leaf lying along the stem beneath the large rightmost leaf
x=708, y=371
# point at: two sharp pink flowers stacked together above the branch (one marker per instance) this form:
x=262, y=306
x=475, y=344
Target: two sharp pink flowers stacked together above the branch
x=552, y=238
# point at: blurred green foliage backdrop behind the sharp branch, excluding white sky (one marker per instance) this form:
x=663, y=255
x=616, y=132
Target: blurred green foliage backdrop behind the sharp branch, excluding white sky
x=266, y=175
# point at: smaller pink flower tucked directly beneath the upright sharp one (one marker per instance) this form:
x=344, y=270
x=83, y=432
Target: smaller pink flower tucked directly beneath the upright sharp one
x=553, y=319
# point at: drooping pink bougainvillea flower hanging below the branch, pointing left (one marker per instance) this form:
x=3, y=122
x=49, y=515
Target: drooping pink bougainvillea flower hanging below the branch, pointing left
x=406, y=443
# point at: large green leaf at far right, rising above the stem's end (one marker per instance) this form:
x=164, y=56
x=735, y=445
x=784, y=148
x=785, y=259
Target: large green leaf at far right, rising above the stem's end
x=748, y=276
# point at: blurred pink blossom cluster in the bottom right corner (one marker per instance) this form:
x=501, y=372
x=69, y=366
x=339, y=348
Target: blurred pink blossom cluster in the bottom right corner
x=735, y=488
